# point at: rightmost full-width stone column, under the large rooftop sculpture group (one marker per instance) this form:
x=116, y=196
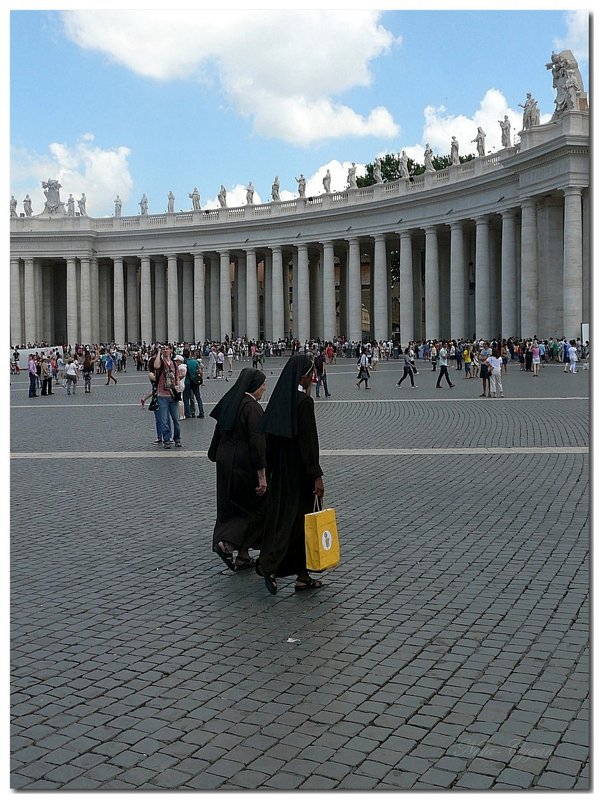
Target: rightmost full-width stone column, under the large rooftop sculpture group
x=573, y=263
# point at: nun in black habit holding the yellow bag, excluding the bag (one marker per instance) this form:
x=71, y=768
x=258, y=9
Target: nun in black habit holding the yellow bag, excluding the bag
x=293, y=474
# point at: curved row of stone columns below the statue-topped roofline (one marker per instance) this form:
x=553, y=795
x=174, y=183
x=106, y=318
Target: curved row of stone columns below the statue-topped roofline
x=518, y=271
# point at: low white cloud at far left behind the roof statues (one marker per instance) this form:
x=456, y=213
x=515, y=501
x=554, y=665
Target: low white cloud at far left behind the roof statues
x=82, y=167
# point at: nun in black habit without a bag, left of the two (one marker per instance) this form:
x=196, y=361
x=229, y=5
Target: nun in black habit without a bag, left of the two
x=239, y=450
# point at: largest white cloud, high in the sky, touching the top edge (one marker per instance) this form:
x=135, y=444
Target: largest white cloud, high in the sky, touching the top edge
x=282, y=69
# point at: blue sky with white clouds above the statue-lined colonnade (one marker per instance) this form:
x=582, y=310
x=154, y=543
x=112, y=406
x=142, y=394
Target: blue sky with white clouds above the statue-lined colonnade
x=126, y=103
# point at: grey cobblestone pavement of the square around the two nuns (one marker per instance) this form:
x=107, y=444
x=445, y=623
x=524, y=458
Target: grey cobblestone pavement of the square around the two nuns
x=449, y=650
